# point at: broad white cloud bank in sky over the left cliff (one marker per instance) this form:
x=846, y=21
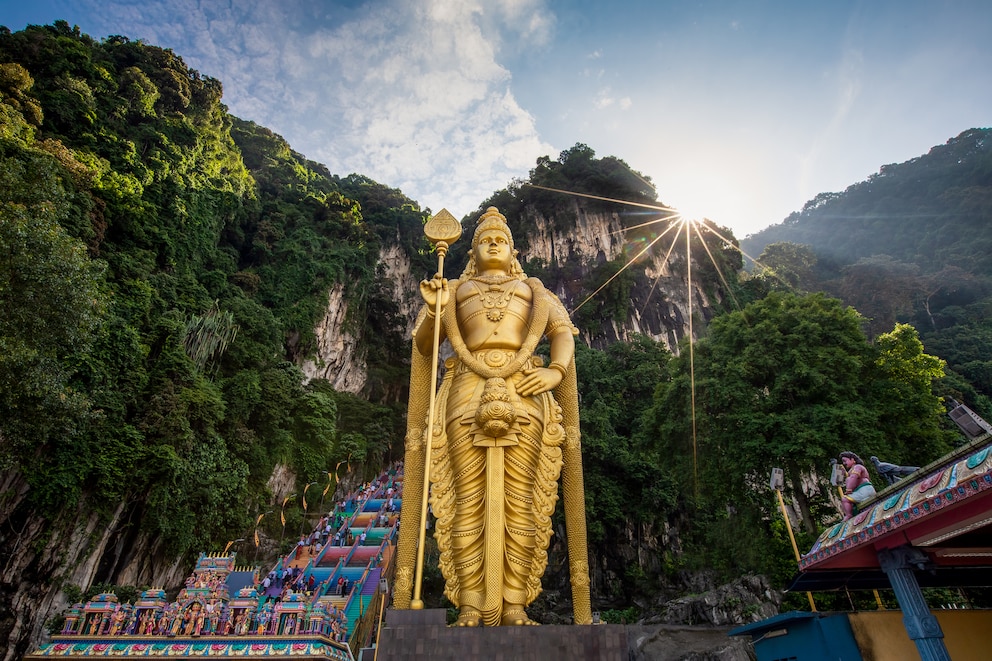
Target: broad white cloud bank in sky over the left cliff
x=410, y=93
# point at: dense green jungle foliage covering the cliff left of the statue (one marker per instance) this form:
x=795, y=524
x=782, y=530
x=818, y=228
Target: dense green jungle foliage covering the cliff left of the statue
x=162, y=267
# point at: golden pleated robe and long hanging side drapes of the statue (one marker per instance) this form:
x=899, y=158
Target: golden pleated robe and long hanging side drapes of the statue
x=494, y=494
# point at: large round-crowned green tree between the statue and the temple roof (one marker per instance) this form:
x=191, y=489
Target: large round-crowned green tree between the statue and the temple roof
x=776, y=385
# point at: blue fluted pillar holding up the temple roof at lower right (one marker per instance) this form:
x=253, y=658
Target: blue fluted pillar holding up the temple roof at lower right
x=920, y=623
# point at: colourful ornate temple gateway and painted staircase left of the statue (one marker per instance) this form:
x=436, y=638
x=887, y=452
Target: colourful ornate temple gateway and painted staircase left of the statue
x=320, y=601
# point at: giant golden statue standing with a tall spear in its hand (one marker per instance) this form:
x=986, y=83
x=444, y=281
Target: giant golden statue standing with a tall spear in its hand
x=505, y=427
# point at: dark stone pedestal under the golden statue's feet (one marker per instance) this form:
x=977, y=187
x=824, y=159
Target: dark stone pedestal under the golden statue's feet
x=424, y=635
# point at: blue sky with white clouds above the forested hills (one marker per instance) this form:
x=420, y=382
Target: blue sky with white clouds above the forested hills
x=738, y=111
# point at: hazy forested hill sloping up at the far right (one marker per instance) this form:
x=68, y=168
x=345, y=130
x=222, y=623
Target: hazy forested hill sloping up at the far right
x=910, y=244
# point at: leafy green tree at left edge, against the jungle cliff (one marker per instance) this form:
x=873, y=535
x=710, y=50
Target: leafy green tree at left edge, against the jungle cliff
x=51, y=305
